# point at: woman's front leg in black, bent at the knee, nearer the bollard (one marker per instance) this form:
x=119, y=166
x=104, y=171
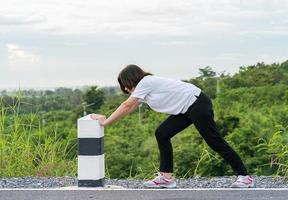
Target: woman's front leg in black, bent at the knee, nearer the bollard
x=166, y=130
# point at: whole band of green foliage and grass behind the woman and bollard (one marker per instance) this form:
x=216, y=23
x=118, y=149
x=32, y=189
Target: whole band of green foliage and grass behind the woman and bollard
x=38, y=128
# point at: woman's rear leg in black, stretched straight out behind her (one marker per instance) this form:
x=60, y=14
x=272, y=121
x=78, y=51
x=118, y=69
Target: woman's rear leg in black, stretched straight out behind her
x=202, y=116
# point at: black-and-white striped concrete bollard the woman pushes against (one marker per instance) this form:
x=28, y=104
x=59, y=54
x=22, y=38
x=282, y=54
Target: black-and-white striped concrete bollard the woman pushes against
x=91, y=167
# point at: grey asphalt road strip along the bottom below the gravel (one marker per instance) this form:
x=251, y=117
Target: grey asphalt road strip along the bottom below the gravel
x=204, y=194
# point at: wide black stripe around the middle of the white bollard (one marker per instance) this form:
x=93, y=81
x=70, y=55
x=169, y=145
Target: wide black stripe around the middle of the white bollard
x=91, y=146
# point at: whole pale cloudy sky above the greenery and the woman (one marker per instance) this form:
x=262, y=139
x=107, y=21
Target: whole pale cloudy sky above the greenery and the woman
x=53, y=43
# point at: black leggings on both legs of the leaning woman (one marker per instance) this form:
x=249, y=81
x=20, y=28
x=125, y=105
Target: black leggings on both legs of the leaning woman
x=200, y=113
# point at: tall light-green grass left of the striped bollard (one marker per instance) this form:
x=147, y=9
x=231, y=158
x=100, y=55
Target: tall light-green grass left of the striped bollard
x=27, y=148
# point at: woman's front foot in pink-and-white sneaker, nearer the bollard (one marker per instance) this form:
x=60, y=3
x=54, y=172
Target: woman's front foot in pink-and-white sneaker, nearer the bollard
x=160, y=181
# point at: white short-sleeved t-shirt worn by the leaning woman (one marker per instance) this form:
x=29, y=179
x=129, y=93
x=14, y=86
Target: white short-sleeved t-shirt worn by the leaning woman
x=166, y=95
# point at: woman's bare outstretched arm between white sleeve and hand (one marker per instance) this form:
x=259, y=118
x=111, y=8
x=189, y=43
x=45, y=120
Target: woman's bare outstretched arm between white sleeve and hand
x=125, y=108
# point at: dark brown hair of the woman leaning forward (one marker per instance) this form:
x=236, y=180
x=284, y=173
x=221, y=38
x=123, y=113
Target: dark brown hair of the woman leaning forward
x=130, y=76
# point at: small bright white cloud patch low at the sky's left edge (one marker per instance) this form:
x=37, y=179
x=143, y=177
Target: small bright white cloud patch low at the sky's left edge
x=19, y=58
